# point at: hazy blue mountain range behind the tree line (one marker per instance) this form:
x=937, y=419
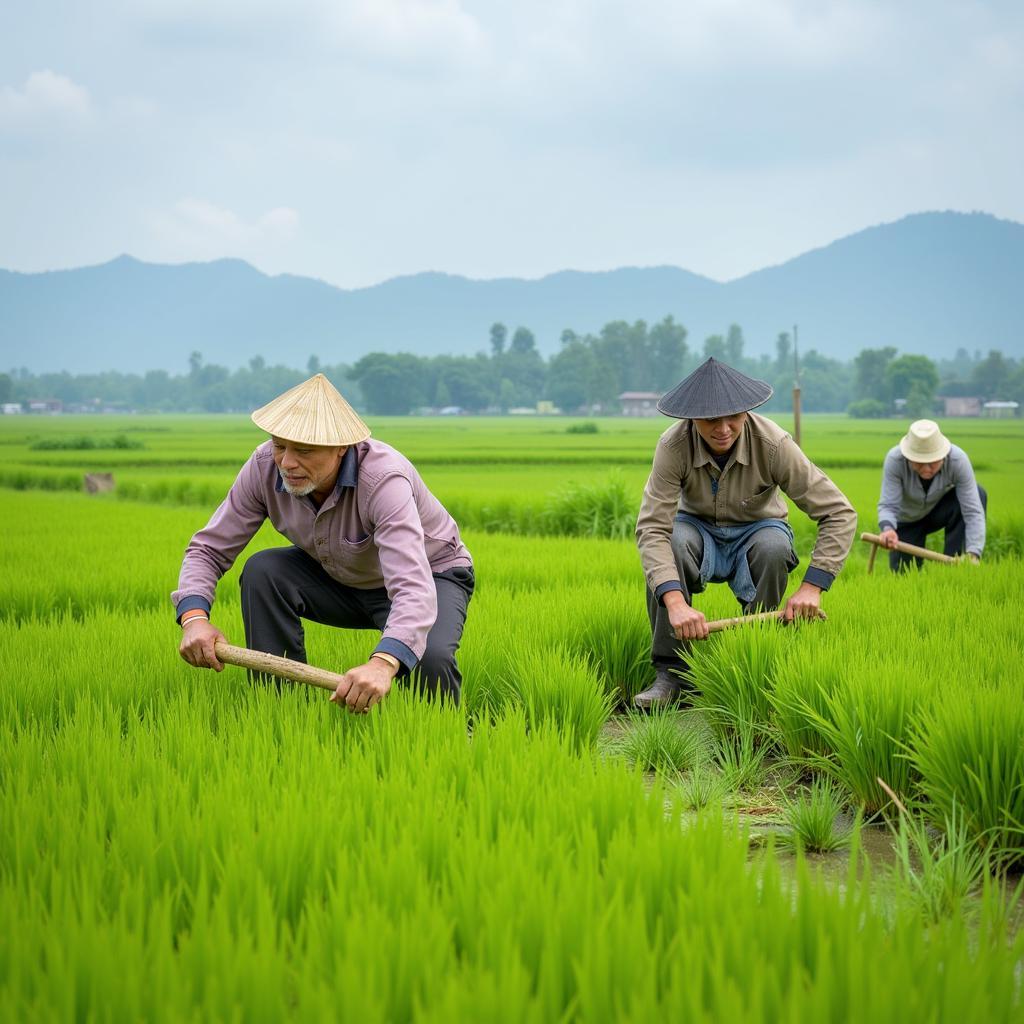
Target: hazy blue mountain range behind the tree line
x=931, y=283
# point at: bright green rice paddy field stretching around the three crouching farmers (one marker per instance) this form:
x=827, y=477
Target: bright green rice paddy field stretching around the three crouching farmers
x=834, y=831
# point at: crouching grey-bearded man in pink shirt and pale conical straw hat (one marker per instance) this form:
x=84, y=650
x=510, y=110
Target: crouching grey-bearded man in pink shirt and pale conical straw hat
x=371, y=548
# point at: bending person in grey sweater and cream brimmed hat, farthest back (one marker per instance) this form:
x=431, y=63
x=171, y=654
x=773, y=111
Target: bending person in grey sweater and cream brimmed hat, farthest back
x=928, y=485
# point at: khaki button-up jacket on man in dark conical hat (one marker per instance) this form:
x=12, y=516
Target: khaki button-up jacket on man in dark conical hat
x=764, y=460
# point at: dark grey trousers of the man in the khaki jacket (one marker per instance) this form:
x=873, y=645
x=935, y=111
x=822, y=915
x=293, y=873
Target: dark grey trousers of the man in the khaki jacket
x=771, y=558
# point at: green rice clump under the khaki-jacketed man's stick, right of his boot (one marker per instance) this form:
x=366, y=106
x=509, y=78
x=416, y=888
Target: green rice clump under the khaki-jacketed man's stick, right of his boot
x=735, y=674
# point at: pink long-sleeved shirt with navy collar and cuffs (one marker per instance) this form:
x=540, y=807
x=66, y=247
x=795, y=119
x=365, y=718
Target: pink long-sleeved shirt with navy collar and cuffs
x=380, y=528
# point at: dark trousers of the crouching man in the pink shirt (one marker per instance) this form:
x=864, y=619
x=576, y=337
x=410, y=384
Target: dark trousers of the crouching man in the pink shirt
x=283, y=586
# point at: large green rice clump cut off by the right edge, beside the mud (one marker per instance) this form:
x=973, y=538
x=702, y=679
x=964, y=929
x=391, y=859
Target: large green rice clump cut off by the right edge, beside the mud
x=970, y=755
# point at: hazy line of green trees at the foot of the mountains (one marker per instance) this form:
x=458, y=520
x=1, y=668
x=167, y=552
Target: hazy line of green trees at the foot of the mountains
x=586, y=375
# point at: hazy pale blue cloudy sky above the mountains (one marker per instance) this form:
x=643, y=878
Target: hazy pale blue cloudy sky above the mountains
x=355, y=141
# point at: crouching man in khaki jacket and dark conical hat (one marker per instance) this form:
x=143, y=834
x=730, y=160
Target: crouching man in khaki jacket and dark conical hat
x=712, y=513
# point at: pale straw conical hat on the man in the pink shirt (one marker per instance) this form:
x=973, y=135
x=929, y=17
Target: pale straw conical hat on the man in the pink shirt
x=313, y=413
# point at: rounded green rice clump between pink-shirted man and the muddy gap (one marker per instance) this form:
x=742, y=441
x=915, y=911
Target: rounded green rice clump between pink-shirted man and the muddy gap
x=557, y=689
